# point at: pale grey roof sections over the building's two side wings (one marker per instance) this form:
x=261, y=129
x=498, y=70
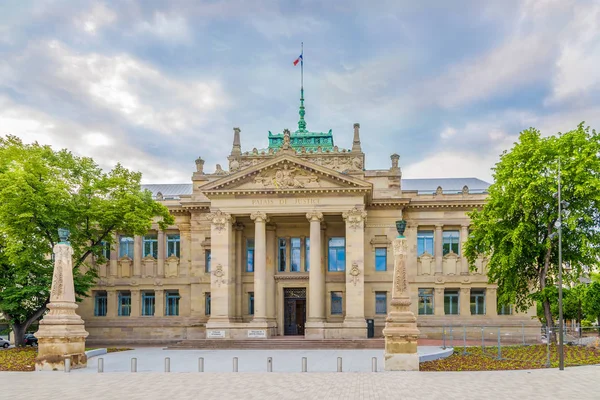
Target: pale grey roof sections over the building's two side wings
x=422, y=186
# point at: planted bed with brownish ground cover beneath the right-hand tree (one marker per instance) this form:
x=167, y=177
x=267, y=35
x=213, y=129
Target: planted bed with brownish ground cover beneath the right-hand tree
x=513, y=358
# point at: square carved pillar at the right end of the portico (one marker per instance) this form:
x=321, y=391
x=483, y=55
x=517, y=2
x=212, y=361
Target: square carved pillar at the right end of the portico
x=355, y=325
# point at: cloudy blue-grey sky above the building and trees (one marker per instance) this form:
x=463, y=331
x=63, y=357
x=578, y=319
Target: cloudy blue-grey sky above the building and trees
x=155, y=84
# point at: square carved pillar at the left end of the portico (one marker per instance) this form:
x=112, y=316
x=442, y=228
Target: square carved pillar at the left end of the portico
x=223, y=274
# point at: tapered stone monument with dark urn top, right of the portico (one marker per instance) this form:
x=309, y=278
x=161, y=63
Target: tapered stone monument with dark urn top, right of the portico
x=400, y=330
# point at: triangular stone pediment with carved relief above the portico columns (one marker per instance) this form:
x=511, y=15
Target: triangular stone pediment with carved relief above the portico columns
x=286, y=173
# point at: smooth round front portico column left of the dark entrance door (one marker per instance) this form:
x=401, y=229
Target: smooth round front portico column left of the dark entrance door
x=260, y=267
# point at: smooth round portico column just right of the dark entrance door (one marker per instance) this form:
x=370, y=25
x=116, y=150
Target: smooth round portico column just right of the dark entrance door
x=315, y=327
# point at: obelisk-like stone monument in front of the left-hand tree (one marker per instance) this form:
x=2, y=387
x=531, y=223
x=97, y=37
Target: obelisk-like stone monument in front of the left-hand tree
x=62, y=333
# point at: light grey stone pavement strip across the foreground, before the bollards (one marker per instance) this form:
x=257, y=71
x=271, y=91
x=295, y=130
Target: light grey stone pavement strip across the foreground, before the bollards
x=574, y=383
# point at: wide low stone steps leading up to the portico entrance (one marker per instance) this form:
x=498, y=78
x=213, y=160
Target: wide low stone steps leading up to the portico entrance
x=279, y=343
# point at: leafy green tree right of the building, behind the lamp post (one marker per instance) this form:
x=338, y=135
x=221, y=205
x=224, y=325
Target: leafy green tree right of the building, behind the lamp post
x=516, y=229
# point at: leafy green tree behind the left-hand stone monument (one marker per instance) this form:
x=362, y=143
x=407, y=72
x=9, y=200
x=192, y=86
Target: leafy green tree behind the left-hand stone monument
x=42, y=190
